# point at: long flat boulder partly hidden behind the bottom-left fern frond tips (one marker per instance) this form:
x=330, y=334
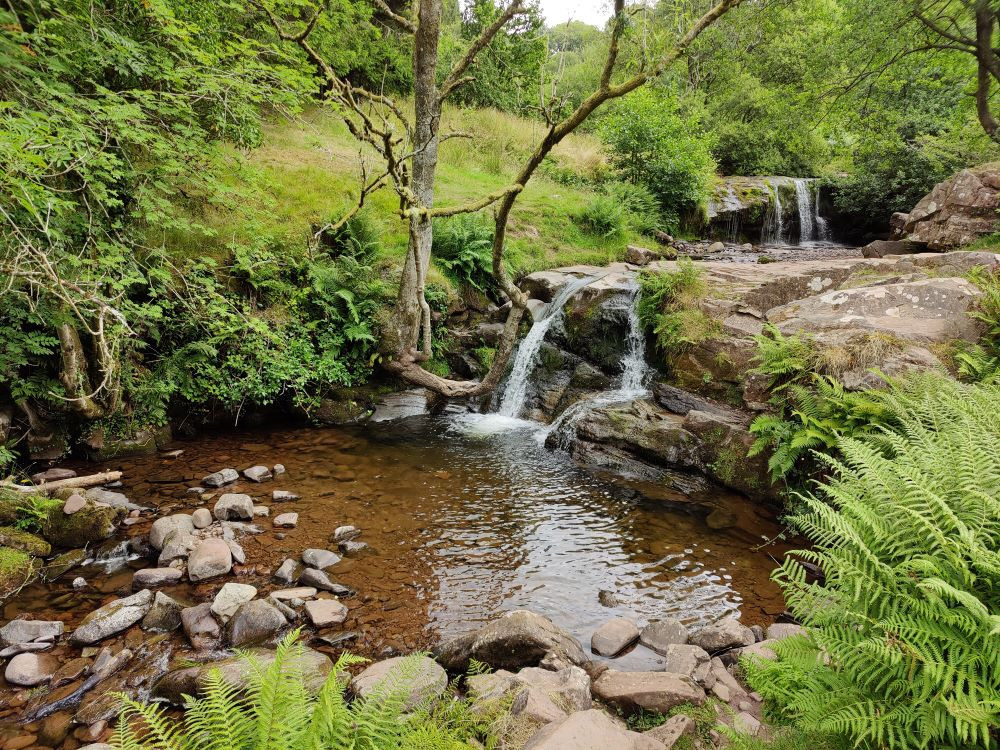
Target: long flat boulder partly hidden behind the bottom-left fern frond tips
x=175, y=684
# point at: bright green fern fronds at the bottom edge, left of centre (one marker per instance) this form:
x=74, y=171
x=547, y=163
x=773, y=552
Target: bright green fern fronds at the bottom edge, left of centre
x=277, y=713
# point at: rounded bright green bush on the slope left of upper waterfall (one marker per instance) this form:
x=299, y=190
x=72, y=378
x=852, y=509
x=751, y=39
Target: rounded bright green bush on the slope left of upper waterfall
x=650, y=143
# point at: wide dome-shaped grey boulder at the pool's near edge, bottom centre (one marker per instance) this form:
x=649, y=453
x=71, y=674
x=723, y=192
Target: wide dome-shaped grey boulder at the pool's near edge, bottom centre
x=513, y=640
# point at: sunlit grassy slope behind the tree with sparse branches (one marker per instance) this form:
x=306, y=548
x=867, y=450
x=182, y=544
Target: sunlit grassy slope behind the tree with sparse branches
x=307, y=172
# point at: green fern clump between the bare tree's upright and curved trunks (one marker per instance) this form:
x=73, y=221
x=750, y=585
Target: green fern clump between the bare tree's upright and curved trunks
x=463, y=247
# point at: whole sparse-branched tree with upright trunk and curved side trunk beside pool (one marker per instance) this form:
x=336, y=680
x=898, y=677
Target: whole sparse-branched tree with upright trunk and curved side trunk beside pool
x=408, y=150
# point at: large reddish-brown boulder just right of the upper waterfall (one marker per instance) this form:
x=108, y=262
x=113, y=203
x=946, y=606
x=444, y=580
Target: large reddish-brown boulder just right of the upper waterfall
x=957, y=211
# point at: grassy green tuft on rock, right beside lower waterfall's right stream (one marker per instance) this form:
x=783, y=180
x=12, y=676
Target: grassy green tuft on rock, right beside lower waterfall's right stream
x=668, y=307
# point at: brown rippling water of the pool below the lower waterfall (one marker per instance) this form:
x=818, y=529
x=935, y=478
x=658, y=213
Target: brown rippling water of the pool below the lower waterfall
x=461, y=526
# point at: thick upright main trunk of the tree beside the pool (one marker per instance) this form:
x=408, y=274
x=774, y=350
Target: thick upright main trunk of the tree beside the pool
x=414, y=312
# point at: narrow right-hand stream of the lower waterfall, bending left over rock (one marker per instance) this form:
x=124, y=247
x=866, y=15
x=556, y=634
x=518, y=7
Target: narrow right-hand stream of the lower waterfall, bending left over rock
x=631, y=383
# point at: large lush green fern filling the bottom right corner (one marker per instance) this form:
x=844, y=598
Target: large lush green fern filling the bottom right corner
x=902, y=642
